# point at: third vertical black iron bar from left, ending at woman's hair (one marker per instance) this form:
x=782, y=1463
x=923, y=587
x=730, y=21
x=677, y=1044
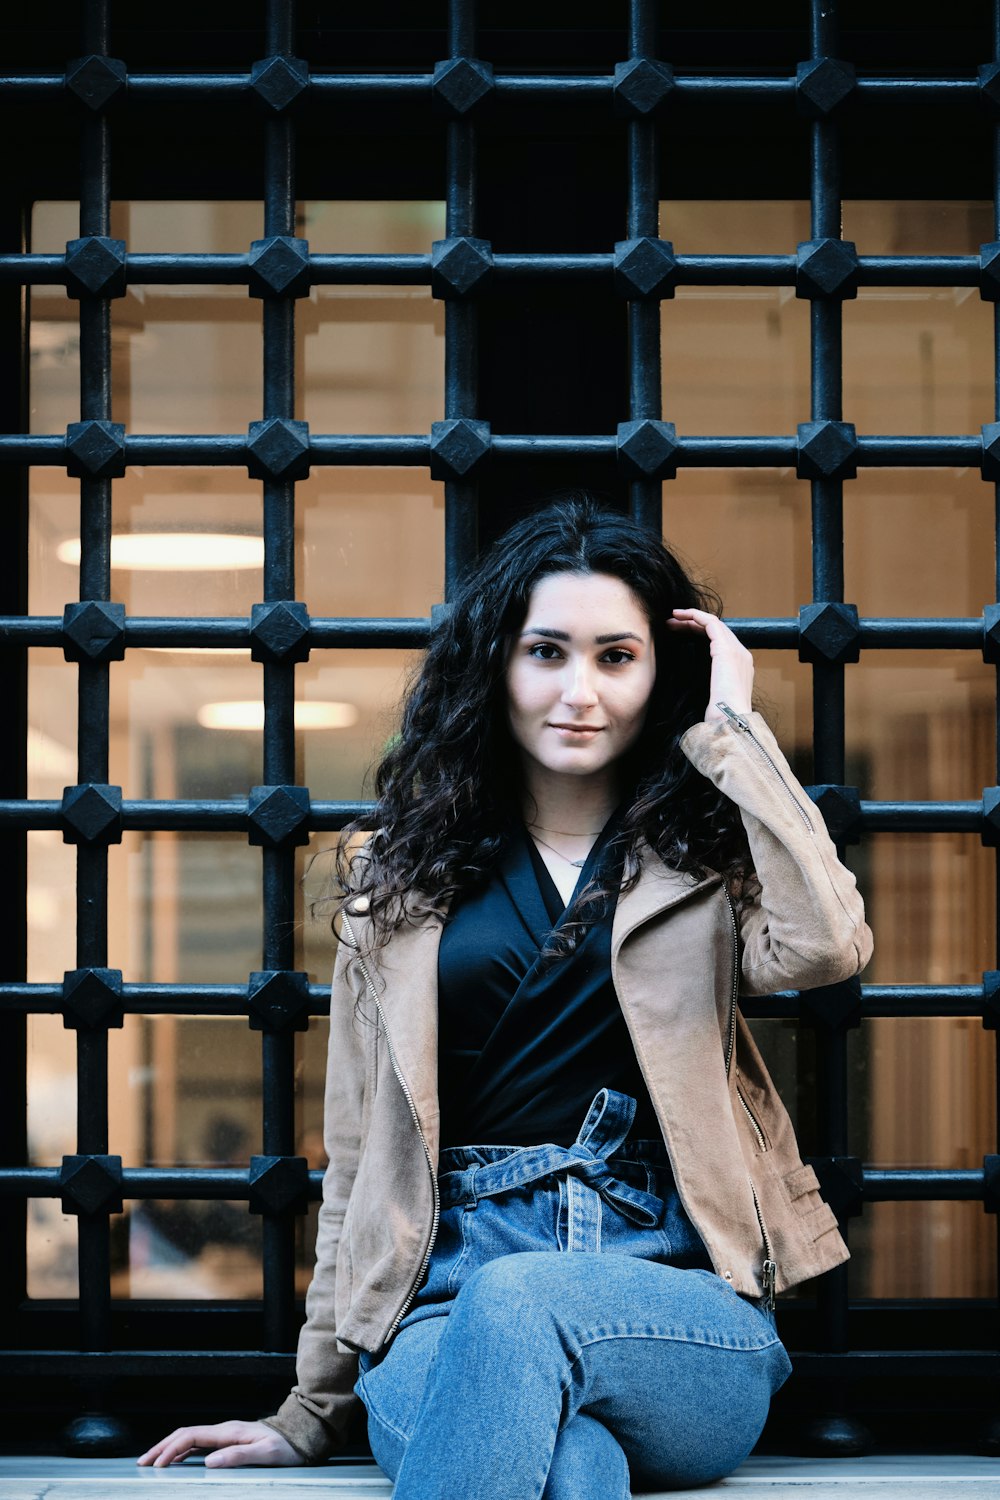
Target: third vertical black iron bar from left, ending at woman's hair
x=461, y=319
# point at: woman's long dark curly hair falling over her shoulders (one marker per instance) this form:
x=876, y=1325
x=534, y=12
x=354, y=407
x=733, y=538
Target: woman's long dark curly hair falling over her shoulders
x=449, y=787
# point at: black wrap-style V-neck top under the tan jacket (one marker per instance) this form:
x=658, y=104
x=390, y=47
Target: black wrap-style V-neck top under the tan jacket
x=527, y=1043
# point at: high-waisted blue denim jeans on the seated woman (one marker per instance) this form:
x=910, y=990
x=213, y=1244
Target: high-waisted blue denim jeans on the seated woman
x=570, y=1339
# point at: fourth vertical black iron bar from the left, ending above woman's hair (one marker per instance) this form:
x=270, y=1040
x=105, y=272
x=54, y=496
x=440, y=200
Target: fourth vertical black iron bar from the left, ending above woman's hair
x=644, y=317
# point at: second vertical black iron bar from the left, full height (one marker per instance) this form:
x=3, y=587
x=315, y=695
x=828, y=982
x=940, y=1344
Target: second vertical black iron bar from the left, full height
x=278, y=1061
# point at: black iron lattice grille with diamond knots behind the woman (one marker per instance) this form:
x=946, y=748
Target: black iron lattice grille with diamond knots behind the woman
x=463, y=271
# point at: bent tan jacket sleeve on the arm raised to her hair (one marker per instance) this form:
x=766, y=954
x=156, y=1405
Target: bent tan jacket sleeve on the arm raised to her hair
x=807, y=925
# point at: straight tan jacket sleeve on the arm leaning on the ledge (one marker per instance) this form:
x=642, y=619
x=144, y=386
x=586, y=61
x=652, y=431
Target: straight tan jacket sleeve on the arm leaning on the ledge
x=316, y=1414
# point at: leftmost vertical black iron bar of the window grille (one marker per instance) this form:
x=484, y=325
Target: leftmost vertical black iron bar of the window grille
x=94, y=716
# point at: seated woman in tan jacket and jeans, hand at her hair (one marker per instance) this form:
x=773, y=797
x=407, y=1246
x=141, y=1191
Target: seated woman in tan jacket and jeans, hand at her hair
x=563, y=1192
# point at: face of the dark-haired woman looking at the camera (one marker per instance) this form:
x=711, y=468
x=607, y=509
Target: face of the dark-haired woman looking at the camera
x=579, y=676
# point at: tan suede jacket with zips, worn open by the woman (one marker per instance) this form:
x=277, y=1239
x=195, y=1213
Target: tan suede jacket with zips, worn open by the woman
x=680, y=958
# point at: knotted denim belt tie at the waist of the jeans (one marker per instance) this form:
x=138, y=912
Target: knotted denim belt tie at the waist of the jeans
x=602, y=1135
